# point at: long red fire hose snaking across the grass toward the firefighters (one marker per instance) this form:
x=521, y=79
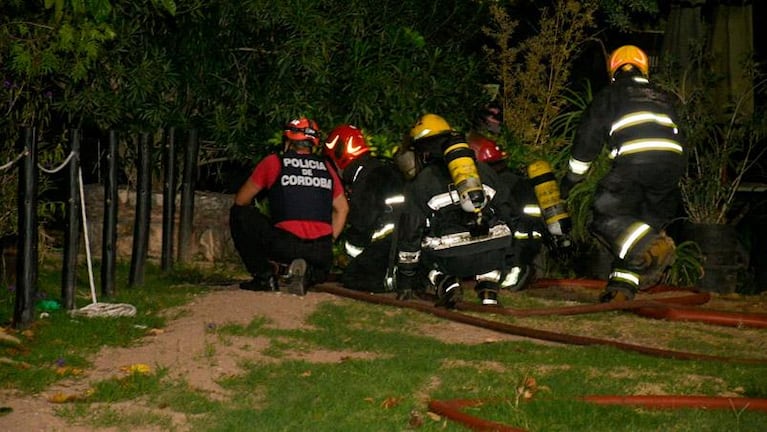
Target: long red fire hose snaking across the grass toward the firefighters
x=660, y=308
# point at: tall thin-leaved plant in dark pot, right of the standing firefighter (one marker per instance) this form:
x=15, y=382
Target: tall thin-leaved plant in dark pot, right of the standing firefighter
x=725, y=143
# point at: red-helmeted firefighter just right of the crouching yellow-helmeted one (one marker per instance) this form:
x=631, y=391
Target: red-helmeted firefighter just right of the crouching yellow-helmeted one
x=530, y=229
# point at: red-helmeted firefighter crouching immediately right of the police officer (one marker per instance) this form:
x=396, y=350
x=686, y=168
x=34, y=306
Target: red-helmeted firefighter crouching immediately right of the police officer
x=374, y=189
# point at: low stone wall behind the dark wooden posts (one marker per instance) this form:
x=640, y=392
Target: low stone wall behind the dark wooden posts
x=210, y=239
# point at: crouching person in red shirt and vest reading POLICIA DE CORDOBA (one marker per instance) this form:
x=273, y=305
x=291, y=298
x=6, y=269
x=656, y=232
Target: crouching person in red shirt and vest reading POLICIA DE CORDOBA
x=307, y=213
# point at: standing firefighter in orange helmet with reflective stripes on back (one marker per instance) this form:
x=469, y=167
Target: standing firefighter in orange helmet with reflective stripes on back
x=639, y=195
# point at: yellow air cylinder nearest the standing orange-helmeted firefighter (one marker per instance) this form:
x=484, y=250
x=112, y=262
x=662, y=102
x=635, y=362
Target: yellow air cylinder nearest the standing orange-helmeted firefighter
x=553, y=207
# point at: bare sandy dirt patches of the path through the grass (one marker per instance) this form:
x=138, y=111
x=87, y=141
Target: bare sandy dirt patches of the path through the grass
x=184, y=348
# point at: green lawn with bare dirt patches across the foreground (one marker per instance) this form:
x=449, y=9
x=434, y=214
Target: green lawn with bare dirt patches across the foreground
x=328, y=363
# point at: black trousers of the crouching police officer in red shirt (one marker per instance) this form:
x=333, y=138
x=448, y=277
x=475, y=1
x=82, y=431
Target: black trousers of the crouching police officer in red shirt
x=258, y=243
